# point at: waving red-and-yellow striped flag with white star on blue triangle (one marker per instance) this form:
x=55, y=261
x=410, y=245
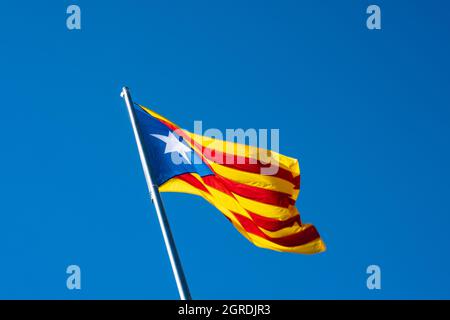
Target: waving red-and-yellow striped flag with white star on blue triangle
x=261, y=207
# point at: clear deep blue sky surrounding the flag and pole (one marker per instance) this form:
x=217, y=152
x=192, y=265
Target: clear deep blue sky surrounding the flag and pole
x=365, y=112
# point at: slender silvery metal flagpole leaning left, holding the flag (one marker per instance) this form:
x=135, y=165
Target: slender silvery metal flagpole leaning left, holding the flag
x=175, y=261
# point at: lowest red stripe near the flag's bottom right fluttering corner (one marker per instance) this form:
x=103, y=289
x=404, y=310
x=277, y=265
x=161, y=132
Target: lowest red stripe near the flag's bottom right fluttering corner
x=296, y=239
